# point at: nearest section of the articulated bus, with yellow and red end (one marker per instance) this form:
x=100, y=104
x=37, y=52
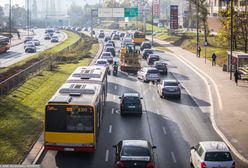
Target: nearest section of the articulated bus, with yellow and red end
x=72, y=118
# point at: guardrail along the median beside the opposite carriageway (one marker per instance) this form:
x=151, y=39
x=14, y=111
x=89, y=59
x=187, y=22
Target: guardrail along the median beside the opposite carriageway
x=22, y=76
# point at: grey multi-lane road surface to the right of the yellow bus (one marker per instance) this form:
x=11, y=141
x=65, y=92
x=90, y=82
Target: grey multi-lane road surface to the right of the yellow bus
x=172, y=125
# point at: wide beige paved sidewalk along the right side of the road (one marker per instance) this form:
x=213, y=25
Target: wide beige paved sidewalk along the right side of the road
x=230, y=106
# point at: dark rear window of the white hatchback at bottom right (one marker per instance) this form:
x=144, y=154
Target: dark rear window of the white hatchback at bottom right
x=218, y=156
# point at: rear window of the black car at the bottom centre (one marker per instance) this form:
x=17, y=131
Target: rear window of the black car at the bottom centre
x=134, y=151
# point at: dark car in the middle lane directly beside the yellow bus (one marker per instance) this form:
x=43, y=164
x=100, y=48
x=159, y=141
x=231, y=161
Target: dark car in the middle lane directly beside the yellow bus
x=130, y=104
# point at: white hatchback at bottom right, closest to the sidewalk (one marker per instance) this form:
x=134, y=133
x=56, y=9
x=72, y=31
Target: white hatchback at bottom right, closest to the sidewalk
x=211, y=154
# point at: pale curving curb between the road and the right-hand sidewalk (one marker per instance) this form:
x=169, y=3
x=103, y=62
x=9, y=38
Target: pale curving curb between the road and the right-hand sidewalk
x=203, y=75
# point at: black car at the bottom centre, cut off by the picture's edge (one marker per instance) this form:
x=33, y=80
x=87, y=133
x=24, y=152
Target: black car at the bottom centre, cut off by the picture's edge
x=134, y=154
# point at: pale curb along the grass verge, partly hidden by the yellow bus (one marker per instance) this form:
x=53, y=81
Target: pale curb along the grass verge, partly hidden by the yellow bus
x=37, y=148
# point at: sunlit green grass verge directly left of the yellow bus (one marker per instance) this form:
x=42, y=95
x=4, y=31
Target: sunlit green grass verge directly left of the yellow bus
x=22, y=111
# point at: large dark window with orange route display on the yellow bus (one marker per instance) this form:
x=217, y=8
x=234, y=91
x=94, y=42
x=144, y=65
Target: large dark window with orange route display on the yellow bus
x=69, y=118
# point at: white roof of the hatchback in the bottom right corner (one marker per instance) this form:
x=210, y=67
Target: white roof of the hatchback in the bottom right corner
x=214, y=146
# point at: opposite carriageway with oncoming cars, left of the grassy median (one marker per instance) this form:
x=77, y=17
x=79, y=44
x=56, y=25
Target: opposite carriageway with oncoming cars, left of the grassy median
x=17, y=53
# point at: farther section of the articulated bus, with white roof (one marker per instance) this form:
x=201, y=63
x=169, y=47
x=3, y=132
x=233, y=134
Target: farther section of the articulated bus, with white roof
x=90, y=74
